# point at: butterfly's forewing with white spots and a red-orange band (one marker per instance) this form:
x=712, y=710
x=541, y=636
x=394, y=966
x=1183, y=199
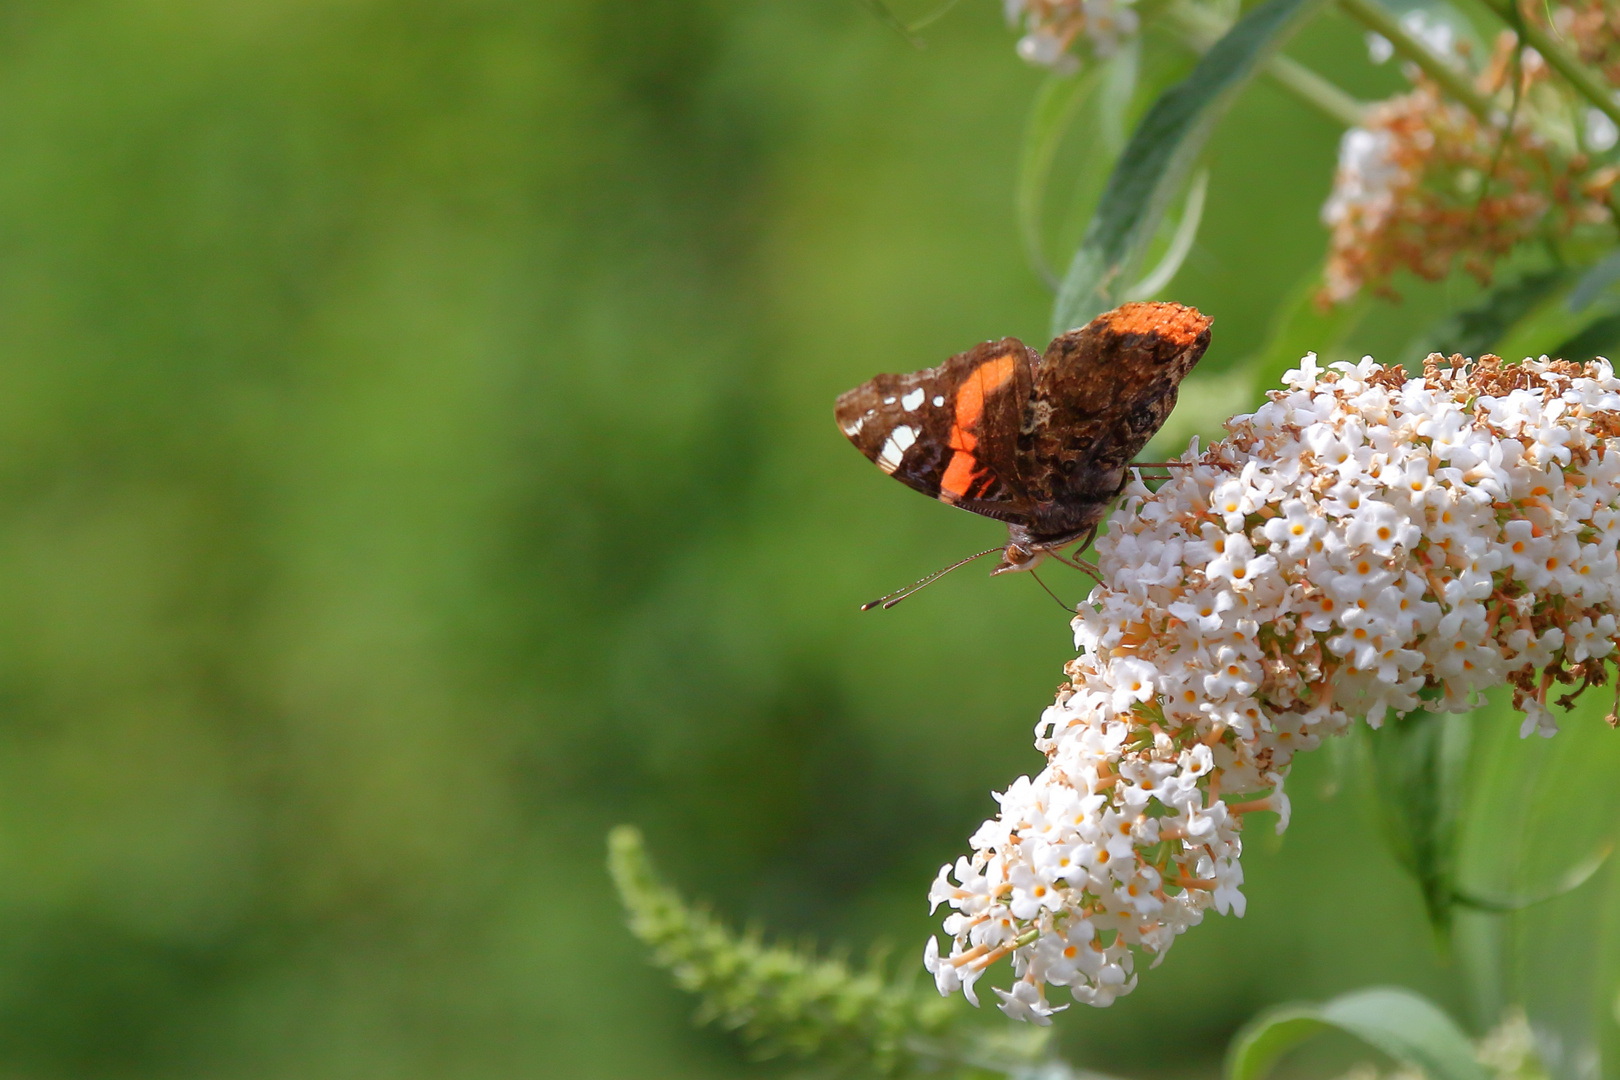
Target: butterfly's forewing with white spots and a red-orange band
x=950, y=432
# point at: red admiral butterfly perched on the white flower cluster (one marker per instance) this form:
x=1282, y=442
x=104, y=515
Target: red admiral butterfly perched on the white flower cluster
x=1038, y=441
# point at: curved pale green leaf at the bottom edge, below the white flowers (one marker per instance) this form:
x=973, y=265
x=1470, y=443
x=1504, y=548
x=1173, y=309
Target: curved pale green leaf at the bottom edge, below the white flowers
x=1399, y=1023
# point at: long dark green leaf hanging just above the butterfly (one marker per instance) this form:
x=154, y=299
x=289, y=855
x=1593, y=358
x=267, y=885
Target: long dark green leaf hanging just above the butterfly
x=1159, y=159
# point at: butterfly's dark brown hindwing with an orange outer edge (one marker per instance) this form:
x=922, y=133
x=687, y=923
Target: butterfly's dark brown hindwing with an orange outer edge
x=1101, y=394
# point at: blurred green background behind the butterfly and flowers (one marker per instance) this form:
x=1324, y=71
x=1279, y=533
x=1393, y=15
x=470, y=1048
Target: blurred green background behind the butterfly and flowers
x=417, y=457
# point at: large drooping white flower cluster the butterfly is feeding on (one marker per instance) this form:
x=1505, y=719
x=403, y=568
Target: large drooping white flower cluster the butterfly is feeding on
x=1365, y=545
